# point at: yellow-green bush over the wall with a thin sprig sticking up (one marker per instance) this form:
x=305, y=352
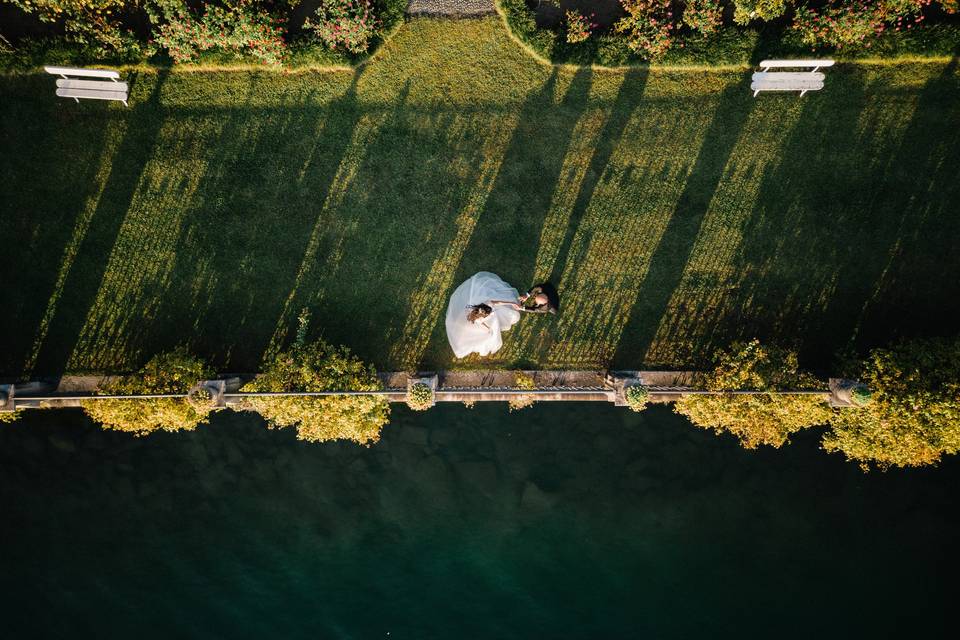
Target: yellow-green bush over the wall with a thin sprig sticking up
x=319, y=366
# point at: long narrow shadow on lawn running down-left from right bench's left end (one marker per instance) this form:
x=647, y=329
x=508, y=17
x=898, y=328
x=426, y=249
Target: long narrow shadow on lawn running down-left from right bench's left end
x=677, y=241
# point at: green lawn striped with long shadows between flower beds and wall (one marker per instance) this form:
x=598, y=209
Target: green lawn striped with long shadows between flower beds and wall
x=674, y=211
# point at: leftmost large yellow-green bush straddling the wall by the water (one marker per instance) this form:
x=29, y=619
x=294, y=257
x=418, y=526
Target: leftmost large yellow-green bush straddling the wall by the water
x=173, y=372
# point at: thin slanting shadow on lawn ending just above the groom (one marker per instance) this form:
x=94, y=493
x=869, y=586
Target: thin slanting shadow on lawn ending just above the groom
x=628, y=99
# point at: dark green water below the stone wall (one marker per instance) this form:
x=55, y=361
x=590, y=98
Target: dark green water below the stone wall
x=561, y=521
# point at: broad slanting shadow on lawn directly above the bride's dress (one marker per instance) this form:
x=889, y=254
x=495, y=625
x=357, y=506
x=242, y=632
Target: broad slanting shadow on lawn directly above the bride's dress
x=522, y=192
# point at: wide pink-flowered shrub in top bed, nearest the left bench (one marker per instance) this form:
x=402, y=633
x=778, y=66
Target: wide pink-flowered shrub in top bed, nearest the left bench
x=239, y=29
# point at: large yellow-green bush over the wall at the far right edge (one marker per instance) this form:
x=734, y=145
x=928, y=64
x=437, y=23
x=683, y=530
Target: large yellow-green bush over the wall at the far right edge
x=913, y=417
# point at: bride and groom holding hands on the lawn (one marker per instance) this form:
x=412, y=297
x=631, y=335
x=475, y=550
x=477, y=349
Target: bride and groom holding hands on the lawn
x=485, y=306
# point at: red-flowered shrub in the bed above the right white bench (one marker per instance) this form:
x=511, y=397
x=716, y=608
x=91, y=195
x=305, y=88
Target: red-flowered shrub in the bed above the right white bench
x=852, y=23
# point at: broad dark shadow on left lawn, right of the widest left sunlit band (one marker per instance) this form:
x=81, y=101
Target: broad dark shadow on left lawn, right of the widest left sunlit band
x=253, y=221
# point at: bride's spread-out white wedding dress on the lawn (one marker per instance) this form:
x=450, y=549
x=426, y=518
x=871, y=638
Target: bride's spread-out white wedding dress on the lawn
x=467, y=337
